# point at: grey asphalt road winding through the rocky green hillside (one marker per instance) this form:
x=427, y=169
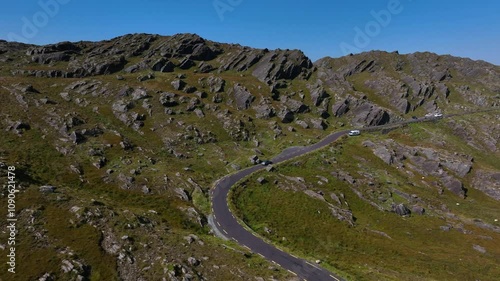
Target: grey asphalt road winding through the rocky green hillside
x=228, y=225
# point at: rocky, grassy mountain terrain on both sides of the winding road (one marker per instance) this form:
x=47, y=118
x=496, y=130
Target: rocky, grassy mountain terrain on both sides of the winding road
x=117, y=144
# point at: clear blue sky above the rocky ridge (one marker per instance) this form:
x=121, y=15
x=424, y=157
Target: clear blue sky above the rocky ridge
x=321, y=28
